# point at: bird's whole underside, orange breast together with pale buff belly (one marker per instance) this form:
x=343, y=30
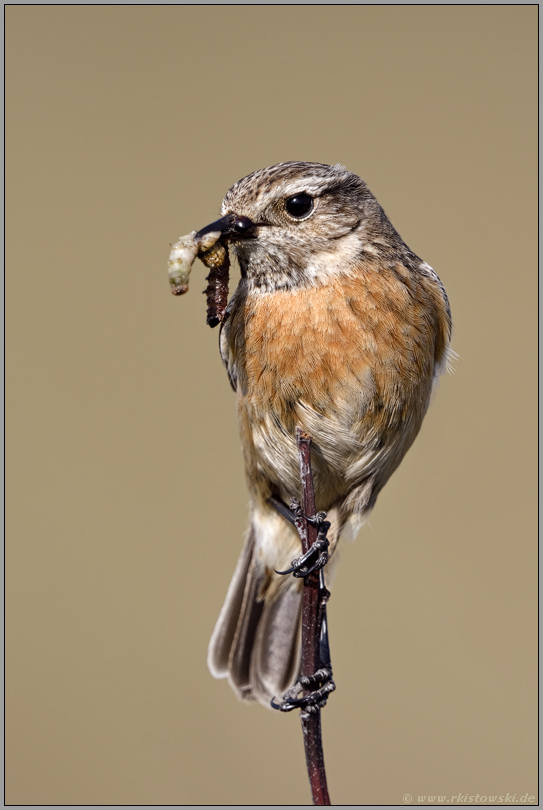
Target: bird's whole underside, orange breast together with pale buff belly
x=352, y=361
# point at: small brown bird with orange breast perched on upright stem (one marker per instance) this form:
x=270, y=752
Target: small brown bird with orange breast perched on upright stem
x=336, y=328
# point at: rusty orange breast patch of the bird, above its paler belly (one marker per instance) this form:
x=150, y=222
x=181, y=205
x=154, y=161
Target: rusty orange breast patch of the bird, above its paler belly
x=313, y=343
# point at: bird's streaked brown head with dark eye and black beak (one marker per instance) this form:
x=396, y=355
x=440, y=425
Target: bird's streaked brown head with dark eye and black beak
x=296, y=223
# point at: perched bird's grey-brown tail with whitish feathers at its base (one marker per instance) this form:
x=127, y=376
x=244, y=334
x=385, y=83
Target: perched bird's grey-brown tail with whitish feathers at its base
x=256, y=641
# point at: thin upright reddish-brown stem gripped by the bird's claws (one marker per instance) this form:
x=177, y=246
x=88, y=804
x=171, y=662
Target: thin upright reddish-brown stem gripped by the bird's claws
x=311, y=628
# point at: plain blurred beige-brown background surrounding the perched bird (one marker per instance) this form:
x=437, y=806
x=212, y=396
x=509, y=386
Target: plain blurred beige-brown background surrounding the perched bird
x=126, y=498
